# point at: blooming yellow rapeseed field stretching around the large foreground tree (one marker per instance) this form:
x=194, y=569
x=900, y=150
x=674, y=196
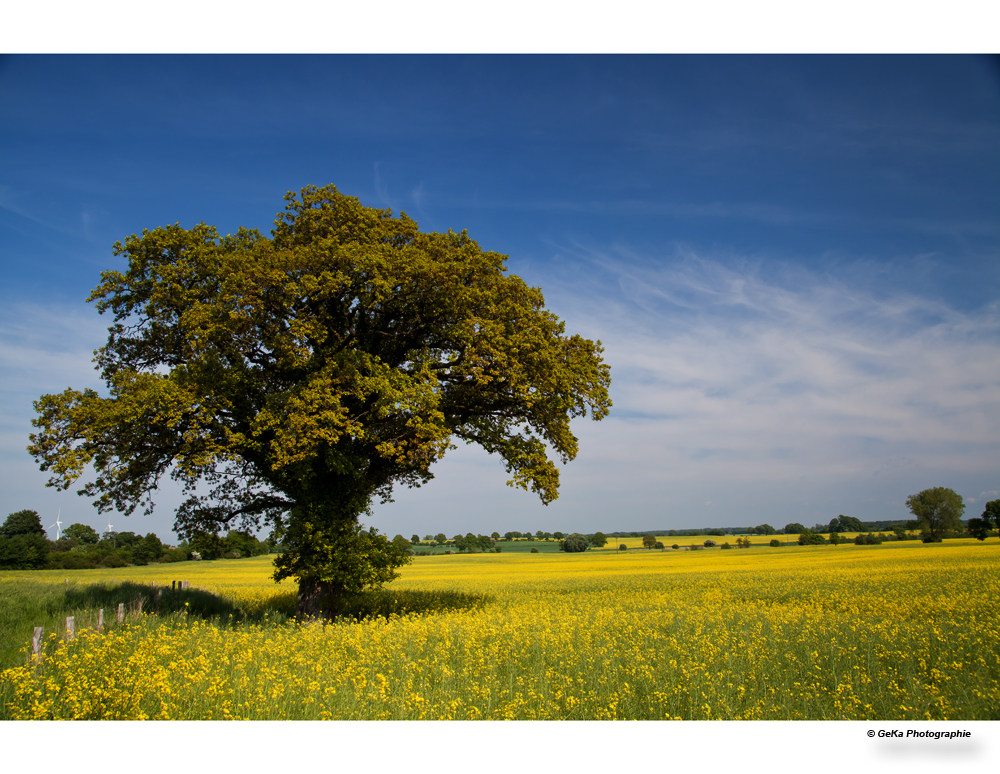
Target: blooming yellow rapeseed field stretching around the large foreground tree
x=897, y=631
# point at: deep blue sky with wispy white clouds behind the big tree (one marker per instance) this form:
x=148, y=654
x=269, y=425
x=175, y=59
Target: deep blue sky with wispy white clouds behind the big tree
x=791, y=261
